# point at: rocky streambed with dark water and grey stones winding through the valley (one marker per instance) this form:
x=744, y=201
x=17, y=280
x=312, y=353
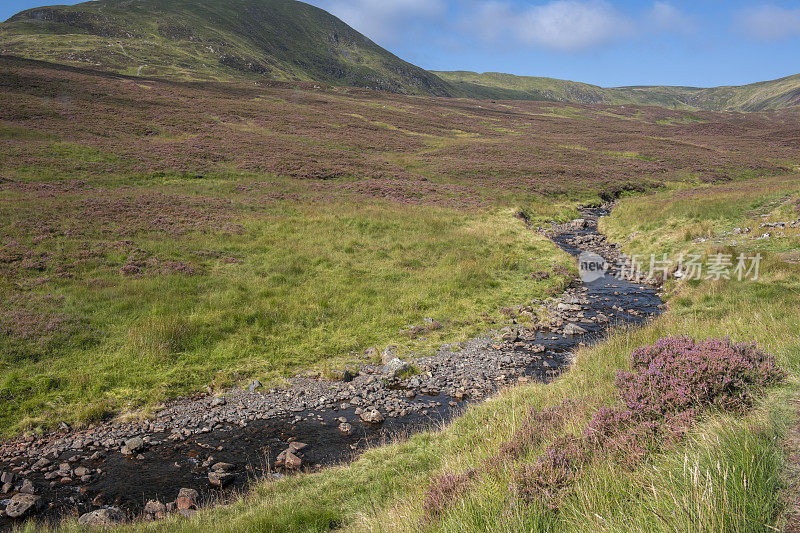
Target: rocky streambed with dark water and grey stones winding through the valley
x=198, y=450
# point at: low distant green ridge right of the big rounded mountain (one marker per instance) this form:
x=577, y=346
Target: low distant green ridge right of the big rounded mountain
x=776, y=94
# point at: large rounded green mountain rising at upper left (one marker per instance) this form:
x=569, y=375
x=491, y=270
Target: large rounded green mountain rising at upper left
x=212, y=40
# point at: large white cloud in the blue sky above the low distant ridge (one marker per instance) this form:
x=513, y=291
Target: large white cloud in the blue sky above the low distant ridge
x=570, y=25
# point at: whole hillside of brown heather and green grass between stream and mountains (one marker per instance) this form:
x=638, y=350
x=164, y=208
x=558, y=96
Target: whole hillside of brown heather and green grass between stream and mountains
x=166, y=234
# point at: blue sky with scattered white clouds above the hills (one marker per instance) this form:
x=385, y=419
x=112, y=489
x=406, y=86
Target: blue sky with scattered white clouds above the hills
x=604, y=42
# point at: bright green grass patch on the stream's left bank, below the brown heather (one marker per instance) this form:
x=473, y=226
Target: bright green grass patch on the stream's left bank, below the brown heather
x=300, y=287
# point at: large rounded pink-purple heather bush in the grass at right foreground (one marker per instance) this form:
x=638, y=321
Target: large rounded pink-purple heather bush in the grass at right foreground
x=677, y=374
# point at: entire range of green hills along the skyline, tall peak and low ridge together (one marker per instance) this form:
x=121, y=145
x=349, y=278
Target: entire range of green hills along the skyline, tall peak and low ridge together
x=289, y=40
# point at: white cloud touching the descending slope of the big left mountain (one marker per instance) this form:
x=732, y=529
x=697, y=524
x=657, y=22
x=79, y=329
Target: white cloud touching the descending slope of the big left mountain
x=385, y=21
